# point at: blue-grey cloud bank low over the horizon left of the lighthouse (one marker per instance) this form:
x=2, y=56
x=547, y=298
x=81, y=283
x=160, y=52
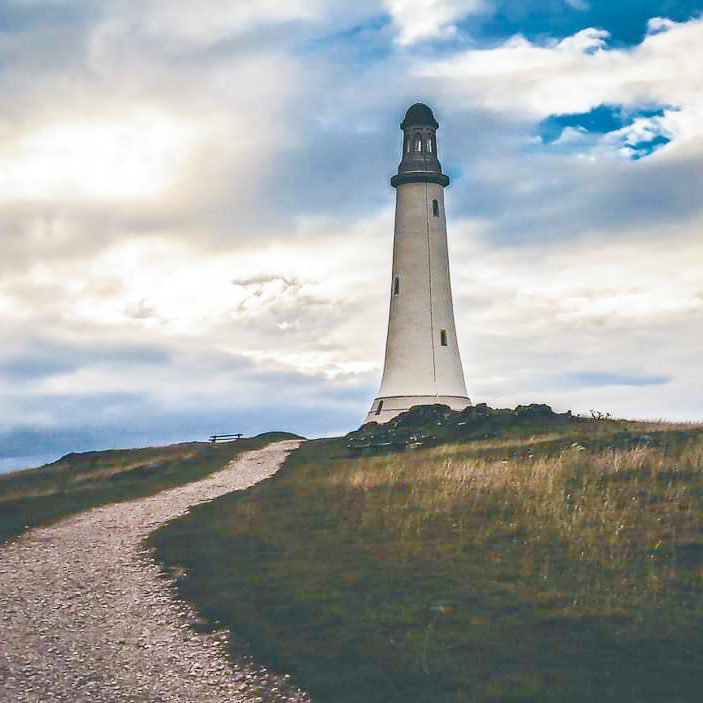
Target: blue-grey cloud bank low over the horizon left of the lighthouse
x=266, y=400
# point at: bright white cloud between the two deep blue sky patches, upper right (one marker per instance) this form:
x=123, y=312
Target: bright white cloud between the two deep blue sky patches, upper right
x=578, y=73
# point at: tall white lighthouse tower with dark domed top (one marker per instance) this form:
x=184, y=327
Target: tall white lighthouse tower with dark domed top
x=422, y=365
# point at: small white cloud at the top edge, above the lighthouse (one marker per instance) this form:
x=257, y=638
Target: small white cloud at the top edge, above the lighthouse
x=417, y=20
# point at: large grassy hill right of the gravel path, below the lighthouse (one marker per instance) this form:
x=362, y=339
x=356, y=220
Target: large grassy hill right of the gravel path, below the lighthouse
x=547, y=561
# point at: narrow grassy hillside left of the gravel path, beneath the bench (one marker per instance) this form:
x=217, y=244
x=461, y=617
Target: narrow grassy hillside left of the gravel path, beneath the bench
x=78, y=482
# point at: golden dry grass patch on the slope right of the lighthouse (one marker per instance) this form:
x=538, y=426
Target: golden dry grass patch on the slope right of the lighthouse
x=607, y=506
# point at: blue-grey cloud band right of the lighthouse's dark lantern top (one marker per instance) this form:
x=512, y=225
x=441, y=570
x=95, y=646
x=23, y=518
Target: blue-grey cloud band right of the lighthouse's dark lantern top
x=529, y=195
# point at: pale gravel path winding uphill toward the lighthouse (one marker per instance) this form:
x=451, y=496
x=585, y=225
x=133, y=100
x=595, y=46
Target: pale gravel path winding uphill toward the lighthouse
x=87, y=615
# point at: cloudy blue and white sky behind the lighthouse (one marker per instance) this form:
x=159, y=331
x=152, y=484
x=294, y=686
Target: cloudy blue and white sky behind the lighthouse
x=196, y=220
